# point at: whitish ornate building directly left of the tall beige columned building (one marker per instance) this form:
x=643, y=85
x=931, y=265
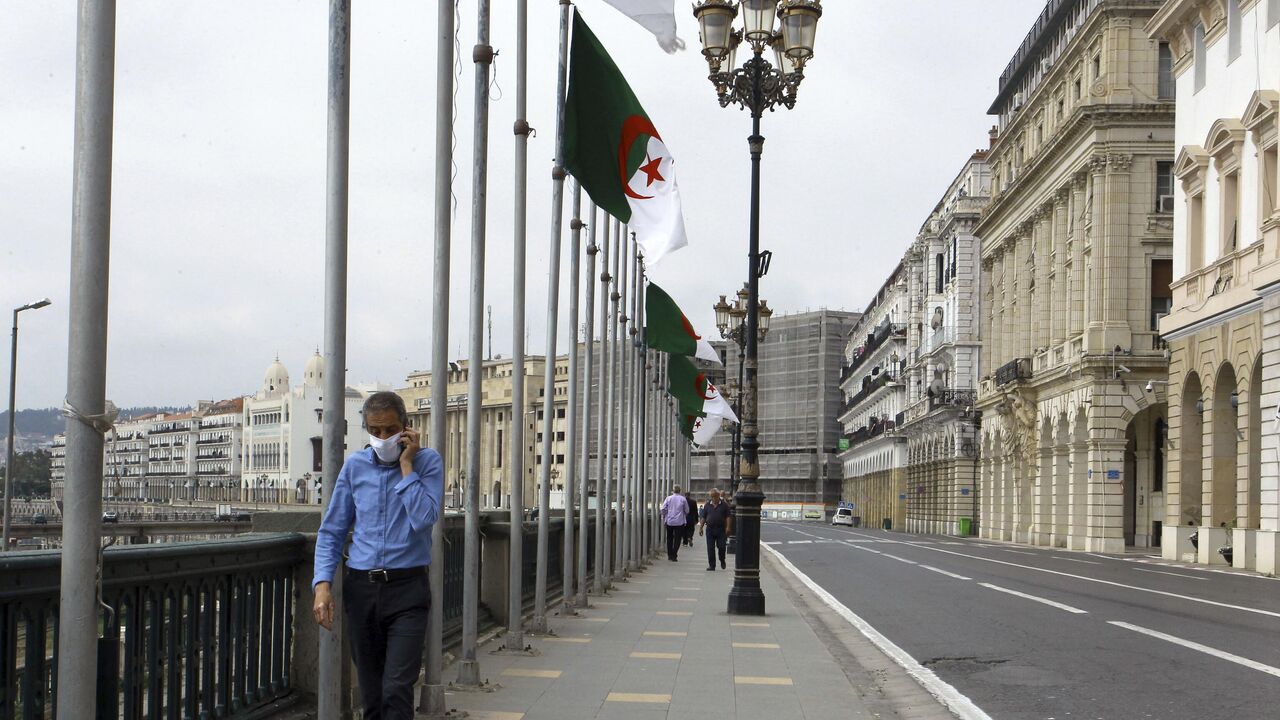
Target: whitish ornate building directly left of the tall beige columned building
x=941, y=422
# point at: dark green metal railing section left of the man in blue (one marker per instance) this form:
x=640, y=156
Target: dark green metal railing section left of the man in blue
x=189, y=630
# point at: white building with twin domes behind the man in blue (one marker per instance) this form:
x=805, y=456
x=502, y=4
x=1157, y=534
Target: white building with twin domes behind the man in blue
x=284, y=429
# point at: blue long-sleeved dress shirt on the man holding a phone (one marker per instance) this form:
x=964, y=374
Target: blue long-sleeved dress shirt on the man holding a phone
x=392, y=514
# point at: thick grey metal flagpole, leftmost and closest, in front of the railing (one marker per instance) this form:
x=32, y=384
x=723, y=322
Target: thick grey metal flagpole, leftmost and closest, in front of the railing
x=86, y=364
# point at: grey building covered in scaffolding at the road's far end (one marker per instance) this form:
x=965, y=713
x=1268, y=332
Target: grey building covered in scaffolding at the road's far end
x=799, y=399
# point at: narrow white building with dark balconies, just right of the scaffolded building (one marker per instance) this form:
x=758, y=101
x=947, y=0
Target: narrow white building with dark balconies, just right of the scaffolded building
x=874, y=450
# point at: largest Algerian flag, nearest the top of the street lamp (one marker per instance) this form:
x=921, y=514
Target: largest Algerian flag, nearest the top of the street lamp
x=615, y=152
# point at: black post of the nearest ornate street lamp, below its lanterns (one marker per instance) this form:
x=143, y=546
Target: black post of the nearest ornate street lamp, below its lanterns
x=747, y=598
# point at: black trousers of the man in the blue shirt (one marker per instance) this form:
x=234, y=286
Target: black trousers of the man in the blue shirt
x=387, y=626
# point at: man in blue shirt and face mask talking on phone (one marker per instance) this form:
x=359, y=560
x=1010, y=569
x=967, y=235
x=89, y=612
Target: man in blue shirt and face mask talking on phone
x=388, y=496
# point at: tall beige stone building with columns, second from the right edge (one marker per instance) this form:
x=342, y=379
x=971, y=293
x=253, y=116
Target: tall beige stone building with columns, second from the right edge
x=1076, y=263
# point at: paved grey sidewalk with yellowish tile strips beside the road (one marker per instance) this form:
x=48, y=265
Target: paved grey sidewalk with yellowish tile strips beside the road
x=662, y=646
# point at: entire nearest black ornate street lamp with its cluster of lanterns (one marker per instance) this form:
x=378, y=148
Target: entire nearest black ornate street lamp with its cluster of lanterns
x=787, y=29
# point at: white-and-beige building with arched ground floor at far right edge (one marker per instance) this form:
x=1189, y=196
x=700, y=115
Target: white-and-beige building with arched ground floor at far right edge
x=1224, y=329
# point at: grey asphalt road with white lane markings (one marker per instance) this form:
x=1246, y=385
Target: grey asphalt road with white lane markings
x=1028, y=632
